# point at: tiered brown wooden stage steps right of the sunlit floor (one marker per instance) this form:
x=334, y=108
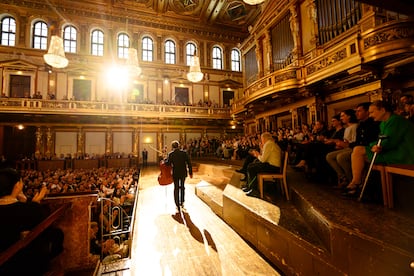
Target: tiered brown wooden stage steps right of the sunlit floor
x=318, y=232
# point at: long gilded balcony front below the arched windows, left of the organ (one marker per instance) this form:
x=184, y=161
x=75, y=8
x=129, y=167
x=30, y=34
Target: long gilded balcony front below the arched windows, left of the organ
x=39, y=106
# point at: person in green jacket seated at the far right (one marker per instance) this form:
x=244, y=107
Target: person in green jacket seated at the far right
x=396, y=148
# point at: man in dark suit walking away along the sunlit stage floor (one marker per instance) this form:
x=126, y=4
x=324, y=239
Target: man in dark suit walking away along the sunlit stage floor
x=180, y=161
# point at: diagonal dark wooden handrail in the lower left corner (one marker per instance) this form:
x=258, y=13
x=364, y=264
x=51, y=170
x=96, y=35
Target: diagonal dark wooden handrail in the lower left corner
x=34, y=233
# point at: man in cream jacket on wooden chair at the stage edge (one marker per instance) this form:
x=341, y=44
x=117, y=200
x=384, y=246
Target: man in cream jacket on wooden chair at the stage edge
x=269, y=160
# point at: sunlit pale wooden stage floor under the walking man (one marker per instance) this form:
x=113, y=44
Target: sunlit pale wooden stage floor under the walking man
x=193, y=242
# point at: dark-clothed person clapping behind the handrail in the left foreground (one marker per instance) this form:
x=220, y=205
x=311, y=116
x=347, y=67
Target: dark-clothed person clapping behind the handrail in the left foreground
x=21, y=216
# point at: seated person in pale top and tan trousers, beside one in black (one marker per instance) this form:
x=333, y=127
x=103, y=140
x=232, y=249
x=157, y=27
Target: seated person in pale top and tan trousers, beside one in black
x=338, y=159
